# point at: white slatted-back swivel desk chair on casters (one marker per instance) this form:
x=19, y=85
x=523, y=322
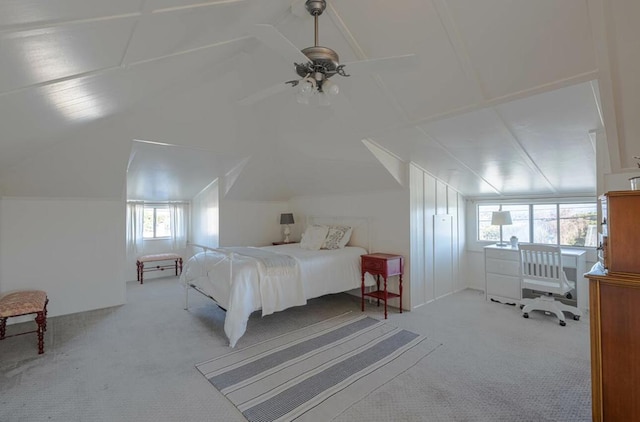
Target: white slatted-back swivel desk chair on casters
x=541, y=271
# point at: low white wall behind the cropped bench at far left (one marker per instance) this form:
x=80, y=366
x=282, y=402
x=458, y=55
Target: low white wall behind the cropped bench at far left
x=74, y=249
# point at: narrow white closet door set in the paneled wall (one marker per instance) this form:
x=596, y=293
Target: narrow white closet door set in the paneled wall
x=443, y=254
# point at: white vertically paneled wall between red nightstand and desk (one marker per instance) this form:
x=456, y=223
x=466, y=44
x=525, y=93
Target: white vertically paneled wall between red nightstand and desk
x=437, y=237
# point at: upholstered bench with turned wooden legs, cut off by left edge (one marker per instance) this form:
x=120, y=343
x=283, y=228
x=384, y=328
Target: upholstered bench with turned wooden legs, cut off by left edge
x=25, y=302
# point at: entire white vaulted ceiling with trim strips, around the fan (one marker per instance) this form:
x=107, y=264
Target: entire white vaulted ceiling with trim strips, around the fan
x=504, y=97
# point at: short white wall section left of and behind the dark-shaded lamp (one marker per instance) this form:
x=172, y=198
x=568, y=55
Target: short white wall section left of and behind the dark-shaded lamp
x=251, y=223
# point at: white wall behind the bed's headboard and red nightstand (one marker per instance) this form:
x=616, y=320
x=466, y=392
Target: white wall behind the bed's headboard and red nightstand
x=388, y=212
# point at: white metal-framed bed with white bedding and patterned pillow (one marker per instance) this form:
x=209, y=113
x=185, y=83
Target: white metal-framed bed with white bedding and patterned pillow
x=273, y=278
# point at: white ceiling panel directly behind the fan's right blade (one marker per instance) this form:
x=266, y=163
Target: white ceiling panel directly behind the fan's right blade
x=437, y=84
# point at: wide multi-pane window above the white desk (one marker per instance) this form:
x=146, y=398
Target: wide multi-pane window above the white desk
x=555, y=224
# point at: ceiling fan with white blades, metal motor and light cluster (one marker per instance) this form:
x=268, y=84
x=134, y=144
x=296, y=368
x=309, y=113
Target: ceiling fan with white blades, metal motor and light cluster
x=314, y=65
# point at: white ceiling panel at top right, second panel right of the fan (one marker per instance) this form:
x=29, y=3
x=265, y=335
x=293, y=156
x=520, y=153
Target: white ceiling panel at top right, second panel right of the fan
x=521, y=44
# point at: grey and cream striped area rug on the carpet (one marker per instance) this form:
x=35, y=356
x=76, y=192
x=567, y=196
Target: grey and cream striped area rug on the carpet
x=317, y=372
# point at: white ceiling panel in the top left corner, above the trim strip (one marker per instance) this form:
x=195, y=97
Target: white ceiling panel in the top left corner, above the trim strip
x=34, y=12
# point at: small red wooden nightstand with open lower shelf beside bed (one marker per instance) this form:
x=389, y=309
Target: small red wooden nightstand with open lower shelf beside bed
x=385, y=265
